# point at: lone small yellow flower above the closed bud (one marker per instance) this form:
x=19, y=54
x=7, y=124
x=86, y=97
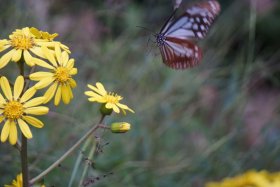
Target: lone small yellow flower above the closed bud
x=110, y=99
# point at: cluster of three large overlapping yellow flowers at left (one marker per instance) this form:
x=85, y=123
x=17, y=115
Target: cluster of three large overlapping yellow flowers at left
x=33, y=47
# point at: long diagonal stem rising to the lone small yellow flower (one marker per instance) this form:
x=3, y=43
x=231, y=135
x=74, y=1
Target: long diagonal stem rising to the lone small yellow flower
x=56, y=163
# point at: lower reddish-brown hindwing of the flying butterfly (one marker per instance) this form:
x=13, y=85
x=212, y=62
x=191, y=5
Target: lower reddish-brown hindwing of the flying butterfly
x=179, y=53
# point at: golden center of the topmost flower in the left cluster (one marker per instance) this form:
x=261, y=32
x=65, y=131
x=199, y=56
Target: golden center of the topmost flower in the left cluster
x=21, y=41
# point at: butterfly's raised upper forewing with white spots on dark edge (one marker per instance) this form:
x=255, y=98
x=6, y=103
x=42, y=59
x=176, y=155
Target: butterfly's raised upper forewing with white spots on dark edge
x=195, y=22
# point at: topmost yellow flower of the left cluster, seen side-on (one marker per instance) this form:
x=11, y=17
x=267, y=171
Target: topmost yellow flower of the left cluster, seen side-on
x=23, y=43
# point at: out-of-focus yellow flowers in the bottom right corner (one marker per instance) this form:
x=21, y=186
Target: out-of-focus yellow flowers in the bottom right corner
x=250, y=178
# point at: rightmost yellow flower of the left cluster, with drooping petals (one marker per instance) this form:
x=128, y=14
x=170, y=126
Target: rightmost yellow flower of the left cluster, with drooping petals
x=59, y=78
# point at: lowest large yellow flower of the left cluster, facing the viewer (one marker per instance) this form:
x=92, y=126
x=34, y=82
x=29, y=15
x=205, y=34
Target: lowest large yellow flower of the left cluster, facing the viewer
x=16, y=107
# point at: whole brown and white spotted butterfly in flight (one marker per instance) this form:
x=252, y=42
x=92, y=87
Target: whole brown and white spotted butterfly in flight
x=175, y=39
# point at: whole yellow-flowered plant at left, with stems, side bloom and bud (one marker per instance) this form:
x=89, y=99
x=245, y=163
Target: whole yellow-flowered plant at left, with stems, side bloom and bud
x=30, y=47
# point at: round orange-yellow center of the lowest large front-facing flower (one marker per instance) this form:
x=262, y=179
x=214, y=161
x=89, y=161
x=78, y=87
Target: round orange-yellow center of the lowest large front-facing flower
x=13, y=110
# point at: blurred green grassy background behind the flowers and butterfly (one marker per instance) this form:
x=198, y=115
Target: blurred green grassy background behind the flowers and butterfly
x=202, y=124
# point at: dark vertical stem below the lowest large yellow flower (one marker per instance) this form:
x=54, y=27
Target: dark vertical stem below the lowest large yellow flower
x=24, y=163
